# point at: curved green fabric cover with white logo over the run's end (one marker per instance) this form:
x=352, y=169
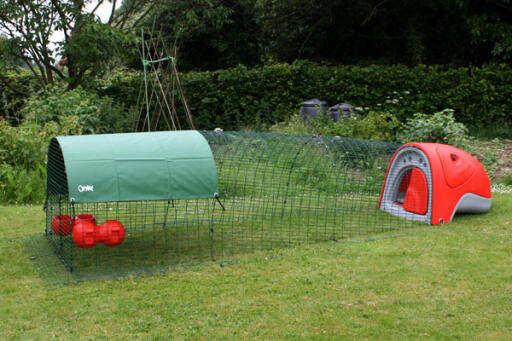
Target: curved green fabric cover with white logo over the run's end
x=129, y=167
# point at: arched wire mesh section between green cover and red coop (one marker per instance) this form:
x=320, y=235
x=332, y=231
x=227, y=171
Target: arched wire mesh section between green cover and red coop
x=283, y=190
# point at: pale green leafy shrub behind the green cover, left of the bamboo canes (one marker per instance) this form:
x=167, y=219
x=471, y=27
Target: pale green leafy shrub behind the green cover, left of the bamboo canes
x=95, y=114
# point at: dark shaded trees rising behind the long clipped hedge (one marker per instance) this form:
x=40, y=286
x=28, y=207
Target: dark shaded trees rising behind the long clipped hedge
x=215, y=34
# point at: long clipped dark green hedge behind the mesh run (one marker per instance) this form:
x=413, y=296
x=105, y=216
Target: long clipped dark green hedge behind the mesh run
x=239, y=97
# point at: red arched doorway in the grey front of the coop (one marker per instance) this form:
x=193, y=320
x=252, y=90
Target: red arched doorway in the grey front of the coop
x=413, y=192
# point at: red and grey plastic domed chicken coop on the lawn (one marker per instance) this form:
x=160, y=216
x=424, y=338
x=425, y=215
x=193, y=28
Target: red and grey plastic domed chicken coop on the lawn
x=430, y=182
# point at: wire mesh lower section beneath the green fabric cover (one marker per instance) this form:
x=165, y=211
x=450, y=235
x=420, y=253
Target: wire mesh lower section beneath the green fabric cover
x=157, y=234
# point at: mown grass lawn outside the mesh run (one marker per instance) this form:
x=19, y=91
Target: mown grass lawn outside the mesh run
x=440, y=282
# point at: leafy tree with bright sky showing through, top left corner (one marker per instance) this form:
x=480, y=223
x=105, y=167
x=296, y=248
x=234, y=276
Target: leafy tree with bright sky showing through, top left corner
x=87, y=45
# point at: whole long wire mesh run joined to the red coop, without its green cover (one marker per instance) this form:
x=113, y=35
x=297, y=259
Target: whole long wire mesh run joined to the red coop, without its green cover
x=275, y=191
